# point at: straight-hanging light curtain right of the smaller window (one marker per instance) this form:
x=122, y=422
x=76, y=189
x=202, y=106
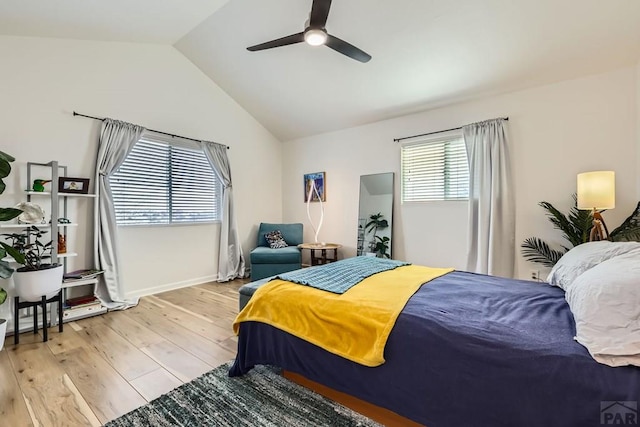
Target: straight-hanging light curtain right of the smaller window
x=491, y=204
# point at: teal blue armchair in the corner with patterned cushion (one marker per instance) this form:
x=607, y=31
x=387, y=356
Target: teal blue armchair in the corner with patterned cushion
x=267, y=262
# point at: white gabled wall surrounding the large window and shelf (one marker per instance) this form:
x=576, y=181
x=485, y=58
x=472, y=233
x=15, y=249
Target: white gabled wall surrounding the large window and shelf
x=43, y=80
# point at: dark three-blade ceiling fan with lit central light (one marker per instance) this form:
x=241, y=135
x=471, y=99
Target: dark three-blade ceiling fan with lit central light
x=315, y=34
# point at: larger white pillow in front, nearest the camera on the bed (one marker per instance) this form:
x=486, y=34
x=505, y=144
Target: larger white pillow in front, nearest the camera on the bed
x=605, y=302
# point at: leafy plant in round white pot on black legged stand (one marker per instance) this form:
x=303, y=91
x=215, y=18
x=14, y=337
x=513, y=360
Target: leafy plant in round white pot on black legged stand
x=38, y=276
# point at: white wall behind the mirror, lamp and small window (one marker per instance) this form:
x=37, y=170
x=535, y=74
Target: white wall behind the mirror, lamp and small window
x=556, y=131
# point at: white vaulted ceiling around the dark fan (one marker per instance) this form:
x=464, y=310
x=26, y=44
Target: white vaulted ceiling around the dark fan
x=426, y=53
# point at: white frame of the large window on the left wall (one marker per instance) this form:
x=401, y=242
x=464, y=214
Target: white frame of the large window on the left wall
x=183, y=144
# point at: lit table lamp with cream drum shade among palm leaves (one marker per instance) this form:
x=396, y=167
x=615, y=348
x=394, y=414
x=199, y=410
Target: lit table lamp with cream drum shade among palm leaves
x=597, y=190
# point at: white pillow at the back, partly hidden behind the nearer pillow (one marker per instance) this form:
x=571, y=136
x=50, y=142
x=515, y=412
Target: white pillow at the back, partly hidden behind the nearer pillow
x=583, y=257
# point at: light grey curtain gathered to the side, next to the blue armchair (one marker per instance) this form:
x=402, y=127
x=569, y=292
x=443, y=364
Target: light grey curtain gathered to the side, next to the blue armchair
x=230, y=259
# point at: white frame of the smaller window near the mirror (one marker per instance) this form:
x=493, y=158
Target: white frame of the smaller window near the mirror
x=428, y=140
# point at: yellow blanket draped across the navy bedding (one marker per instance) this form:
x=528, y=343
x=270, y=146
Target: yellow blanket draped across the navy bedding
x=354, y=325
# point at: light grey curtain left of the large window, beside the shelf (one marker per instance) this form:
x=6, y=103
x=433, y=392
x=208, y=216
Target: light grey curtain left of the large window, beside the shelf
x=116, y=141
